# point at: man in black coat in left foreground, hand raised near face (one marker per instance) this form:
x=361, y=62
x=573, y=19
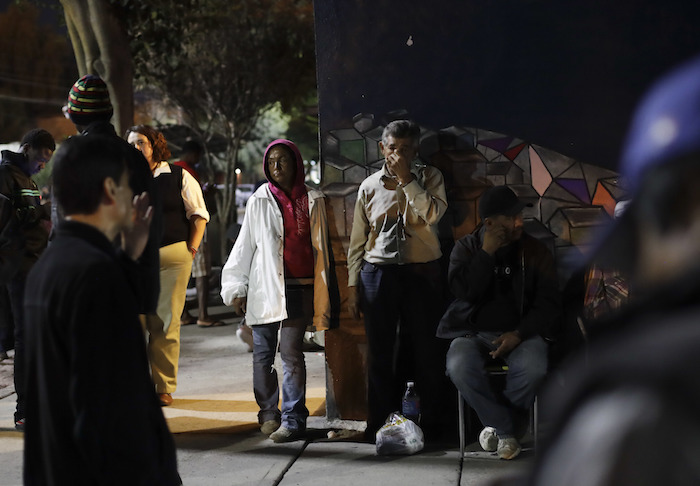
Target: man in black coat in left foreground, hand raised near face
x=92, y=413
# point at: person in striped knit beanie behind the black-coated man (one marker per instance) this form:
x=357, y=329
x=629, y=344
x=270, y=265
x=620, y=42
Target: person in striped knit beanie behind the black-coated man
x=90, y=109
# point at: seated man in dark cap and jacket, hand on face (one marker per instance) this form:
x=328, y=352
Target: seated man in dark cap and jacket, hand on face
x=505, y=286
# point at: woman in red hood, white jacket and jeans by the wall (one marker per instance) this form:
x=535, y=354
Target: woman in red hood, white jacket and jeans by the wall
x=277, y=275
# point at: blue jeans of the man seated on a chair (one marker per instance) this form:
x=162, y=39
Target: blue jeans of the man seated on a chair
x=527, y=366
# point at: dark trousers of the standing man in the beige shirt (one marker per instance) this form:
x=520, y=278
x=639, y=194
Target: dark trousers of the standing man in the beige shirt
x=402, y=305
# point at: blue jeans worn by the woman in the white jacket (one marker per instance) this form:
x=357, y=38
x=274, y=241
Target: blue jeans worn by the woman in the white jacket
x=265, y=383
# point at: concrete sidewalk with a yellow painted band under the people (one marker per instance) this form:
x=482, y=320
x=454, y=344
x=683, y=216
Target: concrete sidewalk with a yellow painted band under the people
x=214, y=422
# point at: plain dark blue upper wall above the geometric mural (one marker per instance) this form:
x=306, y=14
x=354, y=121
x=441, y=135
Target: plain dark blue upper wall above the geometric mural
x=561, y=74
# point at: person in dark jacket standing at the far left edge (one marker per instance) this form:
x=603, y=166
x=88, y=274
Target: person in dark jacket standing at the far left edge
x=24, y=232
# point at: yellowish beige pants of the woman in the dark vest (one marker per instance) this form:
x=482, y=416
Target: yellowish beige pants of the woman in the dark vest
x=163, y=328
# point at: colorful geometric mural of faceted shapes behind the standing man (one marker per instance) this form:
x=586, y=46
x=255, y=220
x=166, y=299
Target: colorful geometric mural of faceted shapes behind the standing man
x=570, y=198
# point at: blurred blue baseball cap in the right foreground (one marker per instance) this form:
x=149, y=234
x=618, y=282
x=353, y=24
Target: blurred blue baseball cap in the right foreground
x=665, y=127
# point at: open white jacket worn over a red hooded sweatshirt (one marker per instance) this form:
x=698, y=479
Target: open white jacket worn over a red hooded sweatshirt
x=255, y=266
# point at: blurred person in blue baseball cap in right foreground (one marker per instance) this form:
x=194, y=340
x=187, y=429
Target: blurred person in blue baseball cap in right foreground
x=630, y=416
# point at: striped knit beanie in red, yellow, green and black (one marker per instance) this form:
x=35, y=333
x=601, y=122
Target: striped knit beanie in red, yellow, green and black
x=88, y=101
